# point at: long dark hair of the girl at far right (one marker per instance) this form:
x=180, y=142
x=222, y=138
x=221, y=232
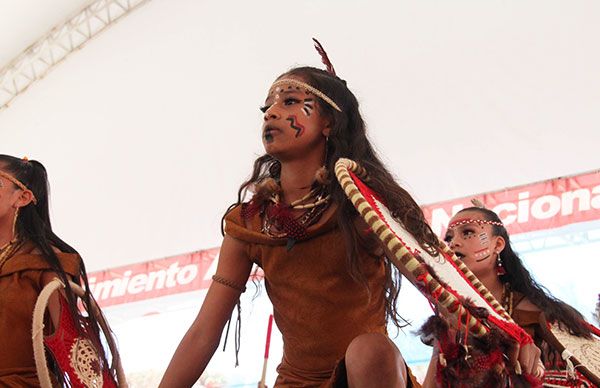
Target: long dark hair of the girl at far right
x=521, y=281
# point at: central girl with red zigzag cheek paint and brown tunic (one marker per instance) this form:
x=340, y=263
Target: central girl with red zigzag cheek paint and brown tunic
x=333, y=289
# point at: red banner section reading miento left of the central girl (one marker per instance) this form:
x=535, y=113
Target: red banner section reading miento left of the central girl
x=189, y=272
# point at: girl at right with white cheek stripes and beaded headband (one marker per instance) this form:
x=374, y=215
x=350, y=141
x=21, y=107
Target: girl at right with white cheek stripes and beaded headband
x=478, y=237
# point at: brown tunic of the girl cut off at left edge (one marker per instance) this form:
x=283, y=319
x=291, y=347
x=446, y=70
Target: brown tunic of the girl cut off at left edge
x=20, y=285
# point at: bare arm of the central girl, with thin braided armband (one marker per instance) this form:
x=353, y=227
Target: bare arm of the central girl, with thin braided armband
x=202, y=338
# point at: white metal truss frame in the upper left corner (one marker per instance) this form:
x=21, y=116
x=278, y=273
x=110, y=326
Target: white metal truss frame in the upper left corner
x=54, y=47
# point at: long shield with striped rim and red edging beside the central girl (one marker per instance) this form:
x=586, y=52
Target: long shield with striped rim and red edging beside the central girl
x=443, y=279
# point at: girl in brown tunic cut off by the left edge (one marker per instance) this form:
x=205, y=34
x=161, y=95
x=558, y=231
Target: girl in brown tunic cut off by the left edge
x=31, y=256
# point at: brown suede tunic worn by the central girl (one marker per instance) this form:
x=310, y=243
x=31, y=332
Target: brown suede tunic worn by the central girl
x=317, y=306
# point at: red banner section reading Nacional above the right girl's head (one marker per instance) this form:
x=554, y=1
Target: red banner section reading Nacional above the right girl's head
x=538, y=206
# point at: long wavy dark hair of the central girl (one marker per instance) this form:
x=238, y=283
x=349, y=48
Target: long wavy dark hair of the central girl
x=348, y=139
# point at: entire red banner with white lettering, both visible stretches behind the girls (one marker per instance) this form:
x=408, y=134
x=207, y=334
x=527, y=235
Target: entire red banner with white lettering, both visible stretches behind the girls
x=544, y=205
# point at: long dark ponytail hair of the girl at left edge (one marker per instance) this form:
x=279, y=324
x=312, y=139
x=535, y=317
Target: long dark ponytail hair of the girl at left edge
x=33, y=225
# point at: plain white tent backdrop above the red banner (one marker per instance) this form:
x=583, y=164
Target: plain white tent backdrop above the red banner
x=148, y=131
